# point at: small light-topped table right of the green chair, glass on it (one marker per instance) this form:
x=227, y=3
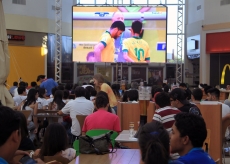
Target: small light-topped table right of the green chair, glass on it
x=125, y=140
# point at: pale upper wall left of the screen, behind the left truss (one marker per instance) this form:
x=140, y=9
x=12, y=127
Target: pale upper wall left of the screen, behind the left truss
x=37, y=16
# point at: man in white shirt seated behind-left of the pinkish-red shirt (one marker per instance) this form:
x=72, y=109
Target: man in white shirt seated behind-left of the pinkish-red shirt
x=79, y=106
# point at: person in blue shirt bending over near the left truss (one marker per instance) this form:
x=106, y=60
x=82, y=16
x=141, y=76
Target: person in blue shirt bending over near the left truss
x=48, y=84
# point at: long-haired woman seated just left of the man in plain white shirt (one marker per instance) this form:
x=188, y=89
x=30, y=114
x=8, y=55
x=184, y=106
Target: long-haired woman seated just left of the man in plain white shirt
x=57, y=103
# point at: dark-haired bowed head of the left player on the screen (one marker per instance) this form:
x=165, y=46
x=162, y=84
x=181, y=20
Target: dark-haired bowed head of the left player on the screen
x=117, y=29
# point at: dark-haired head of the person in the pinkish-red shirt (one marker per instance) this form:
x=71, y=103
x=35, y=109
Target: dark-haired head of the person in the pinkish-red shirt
x=102, y=100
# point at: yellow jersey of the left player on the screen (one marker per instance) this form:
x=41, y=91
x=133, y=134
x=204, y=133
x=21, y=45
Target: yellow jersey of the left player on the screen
x=107, y=54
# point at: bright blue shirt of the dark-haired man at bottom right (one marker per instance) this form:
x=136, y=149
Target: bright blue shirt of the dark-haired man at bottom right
x=196, y=156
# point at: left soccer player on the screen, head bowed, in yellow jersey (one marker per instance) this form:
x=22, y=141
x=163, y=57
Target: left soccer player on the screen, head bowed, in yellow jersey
x=105, y=49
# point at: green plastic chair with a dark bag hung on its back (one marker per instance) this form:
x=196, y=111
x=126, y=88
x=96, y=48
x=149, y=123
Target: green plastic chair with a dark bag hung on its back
x=95, y=132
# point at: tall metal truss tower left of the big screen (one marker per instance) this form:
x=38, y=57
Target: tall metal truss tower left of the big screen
x=58, y=41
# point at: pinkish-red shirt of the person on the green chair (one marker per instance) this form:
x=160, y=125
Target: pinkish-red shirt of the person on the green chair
x=102, y=119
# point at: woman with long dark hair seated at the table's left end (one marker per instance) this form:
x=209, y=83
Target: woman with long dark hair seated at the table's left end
x=31, y=104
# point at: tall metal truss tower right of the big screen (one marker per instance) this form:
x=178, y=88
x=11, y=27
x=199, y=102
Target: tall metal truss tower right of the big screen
x=180, y=36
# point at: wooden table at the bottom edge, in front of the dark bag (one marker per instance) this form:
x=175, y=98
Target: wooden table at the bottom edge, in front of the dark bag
x=121, y=156
